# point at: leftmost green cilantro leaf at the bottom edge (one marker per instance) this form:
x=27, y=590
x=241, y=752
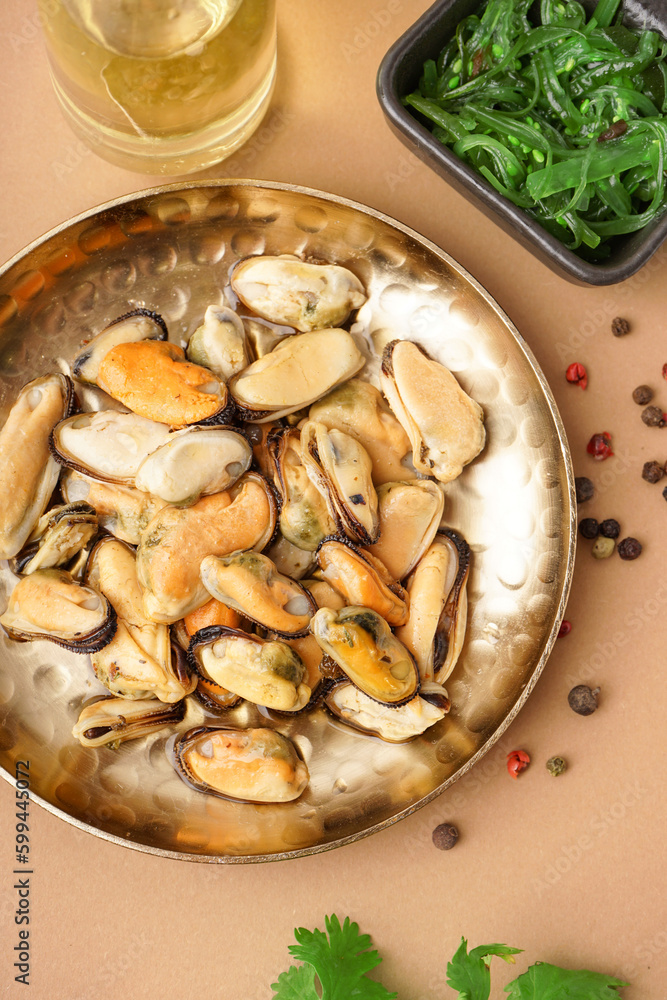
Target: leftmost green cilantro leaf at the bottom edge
x=340, y=958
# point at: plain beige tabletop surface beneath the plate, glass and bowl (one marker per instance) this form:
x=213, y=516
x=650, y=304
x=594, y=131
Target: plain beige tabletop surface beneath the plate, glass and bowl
x=569, y=870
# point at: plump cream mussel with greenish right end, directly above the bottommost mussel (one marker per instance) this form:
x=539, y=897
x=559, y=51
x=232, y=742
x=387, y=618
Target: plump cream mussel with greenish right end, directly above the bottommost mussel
x=271, y=674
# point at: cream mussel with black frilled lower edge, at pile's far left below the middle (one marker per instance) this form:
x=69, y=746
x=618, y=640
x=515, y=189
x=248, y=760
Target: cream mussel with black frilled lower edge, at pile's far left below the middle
x=50, y=604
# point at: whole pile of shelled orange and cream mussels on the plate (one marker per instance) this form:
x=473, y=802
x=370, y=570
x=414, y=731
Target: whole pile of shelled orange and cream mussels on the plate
x=276, y=519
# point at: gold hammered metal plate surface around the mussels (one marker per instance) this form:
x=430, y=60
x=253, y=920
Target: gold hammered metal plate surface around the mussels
x=170, y=250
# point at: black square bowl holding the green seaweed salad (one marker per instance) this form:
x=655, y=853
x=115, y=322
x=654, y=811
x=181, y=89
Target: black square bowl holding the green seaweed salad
x=399, y=74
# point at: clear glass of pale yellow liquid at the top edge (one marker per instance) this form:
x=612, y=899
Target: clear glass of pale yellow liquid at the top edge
x=162, y=86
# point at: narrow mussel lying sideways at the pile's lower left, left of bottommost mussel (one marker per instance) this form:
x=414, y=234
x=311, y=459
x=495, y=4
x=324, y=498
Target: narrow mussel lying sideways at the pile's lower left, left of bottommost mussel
x=111, y=721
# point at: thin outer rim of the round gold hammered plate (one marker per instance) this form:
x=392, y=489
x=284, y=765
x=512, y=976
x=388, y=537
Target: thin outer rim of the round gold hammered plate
x=569, y=497
